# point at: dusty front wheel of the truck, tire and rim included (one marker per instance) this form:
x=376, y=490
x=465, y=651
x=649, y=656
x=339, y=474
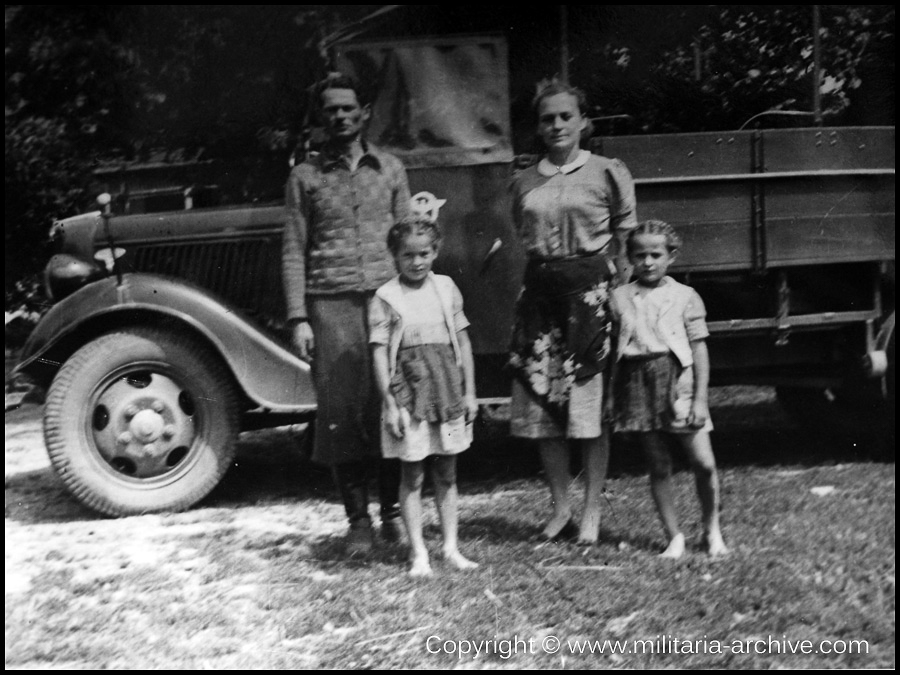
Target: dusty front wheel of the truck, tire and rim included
x=141, y=421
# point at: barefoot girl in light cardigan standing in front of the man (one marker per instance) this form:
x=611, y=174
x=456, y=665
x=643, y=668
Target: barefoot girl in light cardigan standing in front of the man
x=425, y=372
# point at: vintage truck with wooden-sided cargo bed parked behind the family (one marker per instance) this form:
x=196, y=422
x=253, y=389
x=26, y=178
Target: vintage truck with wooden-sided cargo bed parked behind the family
x=167, y=334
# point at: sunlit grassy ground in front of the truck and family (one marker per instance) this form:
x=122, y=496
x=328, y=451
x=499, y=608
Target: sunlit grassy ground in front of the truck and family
x=256, y=577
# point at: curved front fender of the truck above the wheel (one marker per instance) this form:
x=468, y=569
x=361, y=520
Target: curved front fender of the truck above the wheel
x=270, y=375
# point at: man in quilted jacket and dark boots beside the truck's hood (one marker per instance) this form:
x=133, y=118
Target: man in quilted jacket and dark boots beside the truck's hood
x=341, y=204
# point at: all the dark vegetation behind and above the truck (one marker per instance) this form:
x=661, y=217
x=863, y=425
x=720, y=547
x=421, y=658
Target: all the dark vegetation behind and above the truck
x=90, y=85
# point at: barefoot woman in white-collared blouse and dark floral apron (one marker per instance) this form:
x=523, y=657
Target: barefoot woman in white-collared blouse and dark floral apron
x=572, y=210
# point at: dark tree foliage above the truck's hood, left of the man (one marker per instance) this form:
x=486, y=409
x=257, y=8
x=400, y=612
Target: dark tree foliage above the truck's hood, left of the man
x=92, y=84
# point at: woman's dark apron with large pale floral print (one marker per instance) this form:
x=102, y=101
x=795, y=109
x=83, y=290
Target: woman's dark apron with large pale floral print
x=562, y=331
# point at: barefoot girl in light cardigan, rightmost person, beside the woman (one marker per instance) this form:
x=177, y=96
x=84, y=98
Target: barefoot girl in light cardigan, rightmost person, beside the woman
x=661, y=378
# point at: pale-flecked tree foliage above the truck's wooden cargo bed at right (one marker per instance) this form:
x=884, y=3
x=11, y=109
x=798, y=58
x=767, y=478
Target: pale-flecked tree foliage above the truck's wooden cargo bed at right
x=753, y=59
